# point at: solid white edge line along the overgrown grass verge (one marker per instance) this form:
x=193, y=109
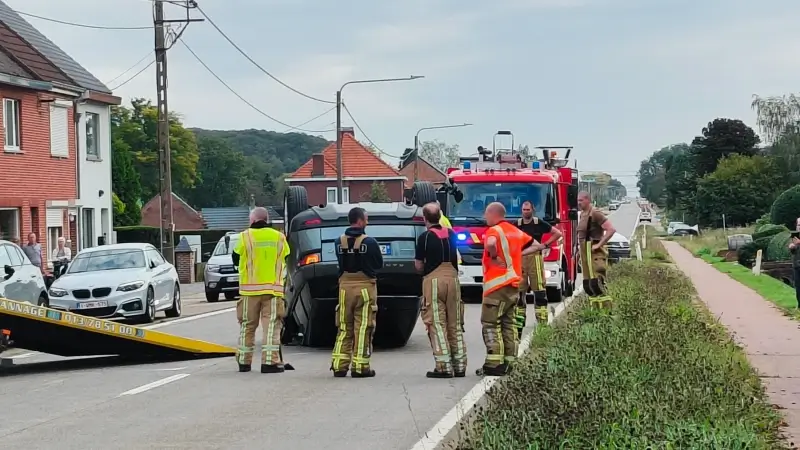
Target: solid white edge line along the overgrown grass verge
x=436, y=435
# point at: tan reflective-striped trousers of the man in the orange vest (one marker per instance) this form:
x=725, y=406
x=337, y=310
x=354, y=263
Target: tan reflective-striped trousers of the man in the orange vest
x=499, y=327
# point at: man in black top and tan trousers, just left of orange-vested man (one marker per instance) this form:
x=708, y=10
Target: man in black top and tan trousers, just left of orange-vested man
x=436, y=258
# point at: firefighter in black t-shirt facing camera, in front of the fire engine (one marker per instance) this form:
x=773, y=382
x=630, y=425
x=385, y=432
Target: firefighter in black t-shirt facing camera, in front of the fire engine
x=533, y=275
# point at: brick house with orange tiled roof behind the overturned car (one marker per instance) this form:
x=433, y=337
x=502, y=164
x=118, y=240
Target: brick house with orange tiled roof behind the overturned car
x=361, y=169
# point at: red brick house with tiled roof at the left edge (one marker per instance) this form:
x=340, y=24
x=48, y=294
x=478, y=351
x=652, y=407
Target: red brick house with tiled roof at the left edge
x=42, y=91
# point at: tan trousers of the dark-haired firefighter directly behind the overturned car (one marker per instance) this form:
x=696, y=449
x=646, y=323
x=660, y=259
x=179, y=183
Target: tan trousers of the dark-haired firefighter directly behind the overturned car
x=355, y=318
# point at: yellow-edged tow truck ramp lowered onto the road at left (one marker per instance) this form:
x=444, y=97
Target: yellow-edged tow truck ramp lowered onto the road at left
x=61, y=333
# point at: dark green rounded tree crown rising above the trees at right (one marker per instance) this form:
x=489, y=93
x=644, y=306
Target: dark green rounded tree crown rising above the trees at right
x=721, y=138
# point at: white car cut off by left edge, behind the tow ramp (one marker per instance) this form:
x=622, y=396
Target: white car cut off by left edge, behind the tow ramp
x=21, y=280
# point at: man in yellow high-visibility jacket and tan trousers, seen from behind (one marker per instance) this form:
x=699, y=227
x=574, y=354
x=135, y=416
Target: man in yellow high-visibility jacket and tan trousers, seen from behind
x=260, y=254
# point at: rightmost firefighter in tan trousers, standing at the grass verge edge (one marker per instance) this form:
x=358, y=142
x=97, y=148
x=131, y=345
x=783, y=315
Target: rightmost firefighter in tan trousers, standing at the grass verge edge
x=594, y=231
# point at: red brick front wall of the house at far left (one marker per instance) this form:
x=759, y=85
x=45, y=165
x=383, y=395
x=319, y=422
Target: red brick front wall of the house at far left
x=31, y=178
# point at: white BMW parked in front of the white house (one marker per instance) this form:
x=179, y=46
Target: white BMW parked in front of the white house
x=131, y=281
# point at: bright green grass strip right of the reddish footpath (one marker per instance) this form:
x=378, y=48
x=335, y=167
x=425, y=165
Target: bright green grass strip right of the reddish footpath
x=712, y=242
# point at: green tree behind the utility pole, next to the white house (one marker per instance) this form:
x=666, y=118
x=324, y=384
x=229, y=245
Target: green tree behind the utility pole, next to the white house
x=137, y=127
